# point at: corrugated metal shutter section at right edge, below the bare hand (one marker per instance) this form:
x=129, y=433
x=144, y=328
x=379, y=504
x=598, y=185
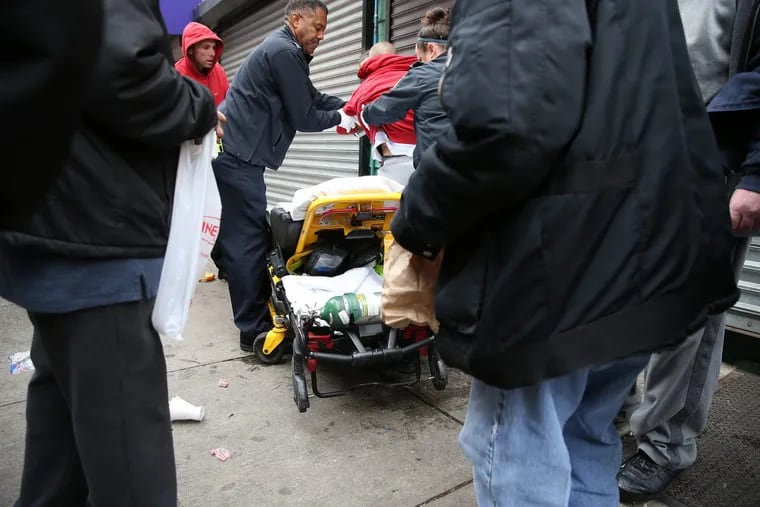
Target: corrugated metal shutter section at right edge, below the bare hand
x=745, y=315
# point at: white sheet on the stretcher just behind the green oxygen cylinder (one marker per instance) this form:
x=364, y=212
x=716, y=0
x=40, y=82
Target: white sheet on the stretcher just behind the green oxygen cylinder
x=310, y=293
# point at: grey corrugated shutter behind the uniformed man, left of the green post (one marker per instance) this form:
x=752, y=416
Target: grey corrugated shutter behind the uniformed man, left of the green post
x=313, y=157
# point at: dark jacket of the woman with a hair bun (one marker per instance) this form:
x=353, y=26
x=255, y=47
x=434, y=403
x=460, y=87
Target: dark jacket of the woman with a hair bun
x=417, y=91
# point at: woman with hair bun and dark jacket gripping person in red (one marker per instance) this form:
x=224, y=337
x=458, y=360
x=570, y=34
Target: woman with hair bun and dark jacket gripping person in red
x=418, y=89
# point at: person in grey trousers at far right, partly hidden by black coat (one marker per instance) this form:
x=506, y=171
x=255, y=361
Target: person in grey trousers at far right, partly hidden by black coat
x=681, y=382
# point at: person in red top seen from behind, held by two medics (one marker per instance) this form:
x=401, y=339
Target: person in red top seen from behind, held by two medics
x=392, y=144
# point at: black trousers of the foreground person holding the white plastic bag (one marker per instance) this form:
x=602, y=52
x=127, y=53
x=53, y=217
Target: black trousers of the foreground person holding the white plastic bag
x=98, y=430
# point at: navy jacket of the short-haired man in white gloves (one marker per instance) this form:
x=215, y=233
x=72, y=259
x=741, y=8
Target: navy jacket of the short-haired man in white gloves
x=271, y=98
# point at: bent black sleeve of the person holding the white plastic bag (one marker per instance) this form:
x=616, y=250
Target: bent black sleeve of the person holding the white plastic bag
x=139, y=94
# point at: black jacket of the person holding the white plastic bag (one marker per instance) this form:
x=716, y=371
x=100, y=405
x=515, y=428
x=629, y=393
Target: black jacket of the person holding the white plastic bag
x=113, y=197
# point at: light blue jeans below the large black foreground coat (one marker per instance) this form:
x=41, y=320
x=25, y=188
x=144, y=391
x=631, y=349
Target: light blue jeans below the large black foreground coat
x=550, y=444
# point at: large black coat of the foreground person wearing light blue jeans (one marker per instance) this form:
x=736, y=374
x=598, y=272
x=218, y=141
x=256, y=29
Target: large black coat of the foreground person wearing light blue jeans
x=579, y=195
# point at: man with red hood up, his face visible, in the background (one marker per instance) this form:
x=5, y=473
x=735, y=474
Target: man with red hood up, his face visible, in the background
x=201, y=50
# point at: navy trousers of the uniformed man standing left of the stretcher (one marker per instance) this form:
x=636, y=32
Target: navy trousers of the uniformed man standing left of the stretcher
x=244, y=240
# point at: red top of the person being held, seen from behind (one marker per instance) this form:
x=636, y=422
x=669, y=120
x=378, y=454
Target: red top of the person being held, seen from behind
x=381, y=73
